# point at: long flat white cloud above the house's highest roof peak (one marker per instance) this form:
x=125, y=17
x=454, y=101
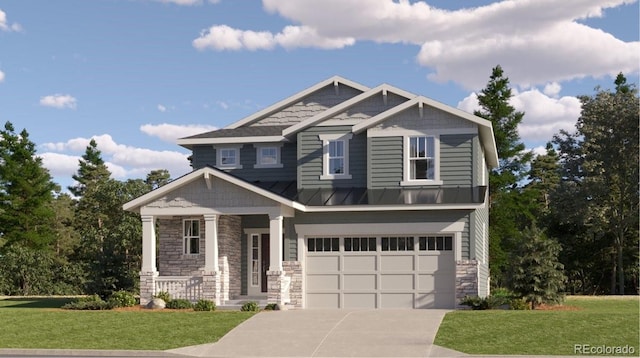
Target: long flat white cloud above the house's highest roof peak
x=223, y=37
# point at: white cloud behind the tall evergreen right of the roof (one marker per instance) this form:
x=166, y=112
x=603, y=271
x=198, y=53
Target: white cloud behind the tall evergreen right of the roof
x=544, y=115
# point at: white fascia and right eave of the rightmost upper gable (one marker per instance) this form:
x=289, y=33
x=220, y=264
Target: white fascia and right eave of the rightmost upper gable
x=485, y=127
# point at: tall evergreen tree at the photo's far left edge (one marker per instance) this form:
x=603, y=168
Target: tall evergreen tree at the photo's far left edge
x=26, y=215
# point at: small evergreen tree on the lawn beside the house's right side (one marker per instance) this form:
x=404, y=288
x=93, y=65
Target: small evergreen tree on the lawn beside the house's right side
x=537, y=275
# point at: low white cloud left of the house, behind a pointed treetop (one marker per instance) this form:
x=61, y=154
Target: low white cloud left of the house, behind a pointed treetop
x=122, y=160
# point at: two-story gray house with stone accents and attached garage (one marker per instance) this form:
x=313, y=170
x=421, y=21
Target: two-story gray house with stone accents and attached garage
x=340, y=196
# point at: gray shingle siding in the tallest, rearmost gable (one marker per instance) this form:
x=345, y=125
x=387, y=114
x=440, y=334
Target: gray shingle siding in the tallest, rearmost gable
x=309, y=106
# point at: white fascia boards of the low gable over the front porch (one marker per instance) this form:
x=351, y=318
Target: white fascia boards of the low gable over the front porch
x=205, y=173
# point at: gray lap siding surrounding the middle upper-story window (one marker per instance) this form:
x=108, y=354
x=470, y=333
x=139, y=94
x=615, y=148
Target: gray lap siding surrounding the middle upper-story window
x=310, y=159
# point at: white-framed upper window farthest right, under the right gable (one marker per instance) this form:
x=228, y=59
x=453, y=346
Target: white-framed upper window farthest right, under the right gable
x=421, y=161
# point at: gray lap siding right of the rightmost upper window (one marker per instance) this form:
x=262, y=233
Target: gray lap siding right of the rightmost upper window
x=456, y=166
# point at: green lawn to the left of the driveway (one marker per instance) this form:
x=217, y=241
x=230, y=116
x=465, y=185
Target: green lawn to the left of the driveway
x=38, y=323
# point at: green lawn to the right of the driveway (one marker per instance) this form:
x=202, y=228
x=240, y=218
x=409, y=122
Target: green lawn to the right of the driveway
x=598, y=321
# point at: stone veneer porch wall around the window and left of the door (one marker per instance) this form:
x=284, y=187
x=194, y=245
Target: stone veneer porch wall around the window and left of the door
x=172, y=261
